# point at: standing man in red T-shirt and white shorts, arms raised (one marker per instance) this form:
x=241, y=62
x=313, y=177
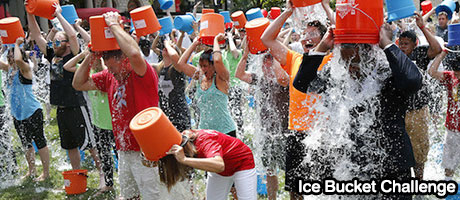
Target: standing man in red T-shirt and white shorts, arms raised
x=132, y=86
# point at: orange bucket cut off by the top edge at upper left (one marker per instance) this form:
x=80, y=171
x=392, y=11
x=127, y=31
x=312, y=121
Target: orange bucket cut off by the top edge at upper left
x=41, y=8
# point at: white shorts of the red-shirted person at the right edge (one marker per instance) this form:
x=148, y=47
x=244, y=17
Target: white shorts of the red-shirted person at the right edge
x=450, y=156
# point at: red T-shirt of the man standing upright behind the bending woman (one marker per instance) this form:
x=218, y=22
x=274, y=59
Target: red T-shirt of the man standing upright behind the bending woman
x=127, y=98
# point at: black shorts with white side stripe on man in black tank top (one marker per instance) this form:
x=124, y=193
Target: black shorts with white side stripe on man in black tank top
x=75, y=129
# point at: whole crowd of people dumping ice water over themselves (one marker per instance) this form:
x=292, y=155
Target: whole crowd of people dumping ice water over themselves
x=201, y=87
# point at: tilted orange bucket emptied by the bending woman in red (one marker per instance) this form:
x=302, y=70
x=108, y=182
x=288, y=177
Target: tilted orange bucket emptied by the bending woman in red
x=154, y=133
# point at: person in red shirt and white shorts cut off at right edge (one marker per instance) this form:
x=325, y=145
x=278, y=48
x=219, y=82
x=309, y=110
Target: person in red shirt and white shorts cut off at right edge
x=450, y=79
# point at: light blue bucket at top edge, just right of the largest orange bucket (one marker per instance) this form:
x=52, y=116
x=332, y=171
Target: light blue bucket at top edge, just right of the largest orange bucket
x=399, y=9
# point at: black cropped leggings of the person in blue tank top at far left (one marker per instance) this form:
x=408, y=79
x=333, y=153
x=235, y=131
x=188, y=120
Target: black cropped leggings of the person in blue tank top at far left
x=31, y=130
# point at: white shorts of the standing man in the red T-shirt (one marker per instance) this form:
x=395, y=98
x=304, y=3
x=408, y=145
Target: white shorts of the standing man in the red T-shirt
x=135, y=178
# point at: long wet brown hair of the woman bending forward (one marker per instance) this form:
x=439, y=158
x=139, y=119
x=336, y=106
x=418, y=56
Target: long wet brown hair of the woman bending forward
x=171, y=171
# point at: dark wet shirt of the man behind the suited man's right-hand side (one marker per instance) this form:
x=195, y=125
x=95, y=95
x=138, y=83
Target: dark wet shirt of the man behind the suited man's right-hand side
x=420, y=57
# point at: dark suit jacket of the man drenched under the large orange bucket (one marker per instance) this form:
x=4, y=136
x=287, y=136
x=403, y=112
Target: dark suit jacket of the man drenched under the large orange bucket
x=391, y=103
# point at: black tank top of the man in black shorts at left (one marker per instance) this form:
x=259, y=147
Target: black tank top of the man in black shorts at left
x=61, y=91
